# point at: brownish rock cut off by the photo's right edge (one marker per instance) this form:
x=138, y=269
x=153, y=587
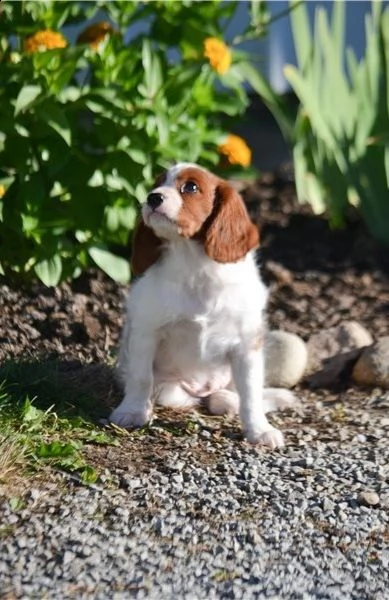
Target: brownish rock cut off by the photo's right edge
x=372, y=367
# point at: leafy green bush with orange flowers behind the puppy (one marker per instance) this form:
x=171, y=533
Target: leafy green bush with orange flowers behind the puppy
x=86, y=125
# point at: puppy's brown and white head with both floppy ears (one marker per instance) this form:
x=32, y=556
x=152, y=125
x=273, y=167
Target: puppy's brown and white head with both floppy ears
x=189, y=202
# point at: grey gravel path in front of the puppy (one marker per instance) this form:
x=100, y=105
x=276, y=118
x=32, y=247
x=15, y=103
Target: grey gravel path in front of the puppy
x=233, y=521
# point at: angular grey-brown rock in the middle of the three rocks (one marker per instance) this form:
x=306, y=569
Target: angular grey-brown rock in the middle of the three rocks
x=332, y=350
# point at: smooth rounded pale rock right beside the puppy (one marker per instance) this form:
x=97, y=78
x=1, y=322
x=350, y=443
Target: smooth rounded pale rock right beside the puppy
x=285, y=359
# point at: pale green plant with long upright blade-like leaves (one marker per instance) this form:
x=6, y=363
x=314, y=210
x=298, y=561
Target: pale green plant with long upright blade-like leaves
x=341, y=136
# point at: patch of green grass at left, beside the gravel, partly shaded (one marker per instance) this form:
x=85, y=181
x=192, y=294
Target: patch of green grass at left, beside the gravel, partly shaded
x=46, y=420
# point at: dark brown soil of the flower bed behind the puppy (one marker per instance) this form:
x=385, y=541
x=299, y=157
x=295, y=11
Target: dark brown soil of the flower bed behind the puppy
x=318, y=277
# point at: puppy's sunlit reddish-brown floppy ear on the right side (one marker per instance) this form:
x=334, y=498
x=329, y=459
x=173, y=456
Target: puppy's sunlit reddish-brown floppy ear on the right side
x=229, y=232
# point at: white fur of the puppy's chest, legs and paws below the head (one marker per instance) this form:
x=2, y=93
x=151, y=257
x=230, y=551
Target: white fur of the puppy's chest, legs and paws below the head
x=194, y=330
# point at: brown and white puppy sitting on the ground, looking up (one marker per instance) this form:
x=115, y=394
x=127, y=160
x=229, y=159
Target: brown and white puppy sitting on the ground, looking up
x=195, y=320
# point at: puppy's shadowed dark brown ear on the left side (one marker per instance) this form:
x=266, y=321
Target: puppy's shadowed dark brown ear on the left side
x=146, y=248
